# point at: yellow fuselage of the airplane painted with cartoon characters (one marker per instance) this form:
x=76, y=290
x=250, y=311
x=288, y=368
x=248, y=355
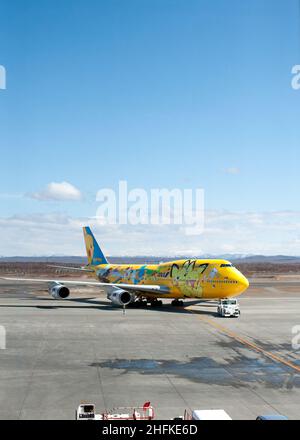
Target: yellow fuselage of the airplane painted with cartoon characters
x=206, y=279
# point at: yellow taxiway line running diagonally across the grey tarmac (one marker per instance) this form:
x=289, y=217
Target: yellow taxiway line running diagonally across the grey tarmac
x=247, y=343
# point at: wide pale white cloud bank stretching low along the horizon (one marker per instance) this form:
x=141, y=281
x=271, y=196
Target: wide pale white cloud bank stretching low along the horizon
x=267, y=233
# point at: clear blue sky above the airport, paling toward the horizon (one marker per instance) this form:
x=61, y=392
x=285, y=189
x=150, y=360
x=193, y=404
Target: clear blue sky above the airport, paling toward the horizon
x=161, y=93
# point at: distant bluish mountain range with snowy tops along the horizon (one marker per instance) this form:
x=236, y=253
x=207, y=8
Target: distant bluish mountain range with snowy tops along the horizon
x=139, y=259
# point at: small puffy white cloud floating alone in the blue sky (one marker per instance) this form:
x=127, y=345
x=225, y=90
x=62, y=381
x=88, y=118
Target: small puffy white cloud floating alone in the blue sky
x=57, y=191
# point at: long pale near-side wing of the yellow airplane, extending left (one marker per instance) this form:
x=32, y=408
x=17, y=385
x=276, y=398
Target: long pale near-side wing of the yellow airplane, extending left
x=137, y=288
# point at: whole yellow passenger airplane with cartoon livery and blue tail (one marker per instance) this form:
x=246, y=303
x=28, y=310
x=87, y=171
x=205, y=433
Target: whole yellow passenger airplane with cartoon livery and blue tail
x=124, y=284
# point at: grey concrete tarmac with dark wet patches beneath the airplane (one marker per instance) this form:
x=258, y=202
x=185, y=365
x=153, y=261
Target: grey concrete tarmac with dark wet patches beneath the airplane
x=59, y=353
